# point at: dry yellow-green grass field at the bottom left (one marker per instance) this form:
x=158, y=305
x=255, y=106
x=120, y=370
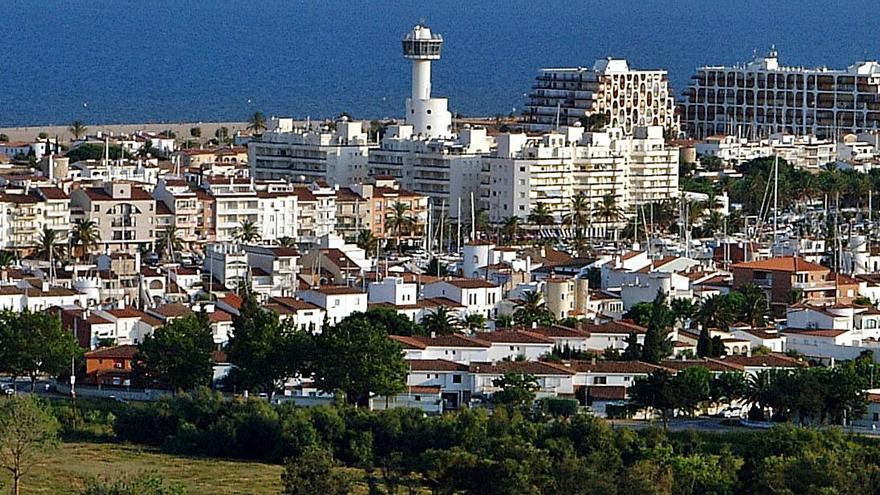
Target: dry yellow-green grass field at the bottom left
x=69, y=468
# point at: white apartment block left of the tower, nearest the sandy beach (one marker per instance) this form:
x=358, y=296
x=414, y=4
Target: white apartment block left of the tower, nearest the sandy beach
x=337, y=155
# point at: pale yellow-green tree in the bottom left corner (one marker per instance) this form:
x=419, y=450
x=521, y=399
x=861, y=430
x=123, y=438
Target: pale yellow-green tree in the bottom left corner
x=28, y=432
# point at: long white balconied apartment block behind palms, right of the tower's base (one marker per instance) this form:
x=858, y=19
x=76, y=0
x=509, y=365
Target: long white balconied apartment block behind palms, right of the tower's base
x=552, y=169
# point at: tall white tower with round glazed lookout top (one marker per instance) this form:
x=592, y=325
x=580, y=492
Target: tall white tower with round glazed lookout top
x=428, y=116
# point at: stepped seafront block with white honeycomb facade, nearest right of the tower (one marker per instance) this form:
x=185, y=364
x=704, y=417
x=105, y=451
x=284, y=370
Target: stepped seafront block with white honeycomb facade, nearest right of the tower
x=628, y=98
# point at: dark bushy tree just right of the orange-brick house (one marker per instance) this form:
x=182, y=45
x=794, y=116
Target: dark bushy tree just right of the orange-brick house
x=176, y=355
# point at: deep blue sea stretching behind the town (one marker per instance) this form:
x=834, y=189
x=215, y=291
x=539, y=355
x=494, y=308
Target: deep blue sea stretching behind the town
x=198, y=60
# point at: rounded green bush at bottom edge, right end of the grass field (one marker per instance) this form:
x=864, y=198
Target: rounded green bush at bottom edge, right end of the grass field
x=314, y=473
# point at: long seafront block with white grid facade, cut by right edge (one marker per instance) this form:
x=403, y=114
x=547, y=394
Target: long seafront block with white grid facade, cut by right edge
x=763, y=97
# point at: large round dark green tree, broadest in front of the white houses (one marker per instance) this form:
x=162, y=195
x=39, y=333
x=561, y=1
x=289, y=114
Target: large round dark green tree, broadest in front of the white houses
x=356, y=356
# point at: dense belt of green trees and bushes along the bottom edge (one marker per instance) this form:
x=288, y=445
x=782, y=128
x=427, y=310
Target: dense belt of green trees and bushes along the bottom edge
x=510, y=451
